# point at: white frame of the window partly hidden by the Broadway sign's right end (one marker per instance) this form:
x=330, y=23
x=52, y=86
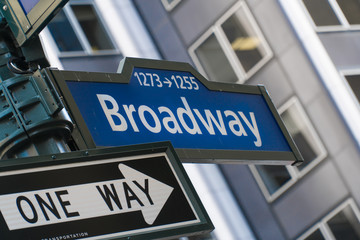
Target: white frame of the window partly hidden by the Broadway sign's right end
x=294, y=172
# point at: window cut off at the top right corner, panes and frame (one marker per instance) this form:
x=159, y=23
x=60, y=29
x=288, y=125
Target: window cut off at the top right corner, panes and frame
x=334, y=14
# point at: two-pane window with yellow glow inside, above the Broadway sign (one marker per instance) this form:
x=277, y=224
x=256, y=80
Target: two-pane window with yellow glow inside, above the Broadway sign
x=233, y=49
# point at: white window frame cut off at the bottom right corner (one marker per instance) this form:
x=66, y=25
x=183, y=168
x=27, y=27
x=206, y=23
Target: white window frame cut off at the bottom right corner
x=322, y=224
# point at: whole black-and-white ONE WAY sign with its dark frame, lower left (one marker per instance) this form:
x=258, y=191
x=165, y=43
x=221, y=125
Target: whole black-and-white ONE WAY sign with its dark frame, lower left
x=137, y=192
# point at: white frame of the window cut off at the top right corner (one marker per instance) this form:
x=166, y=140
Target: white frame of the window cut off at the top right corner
x=344, y=24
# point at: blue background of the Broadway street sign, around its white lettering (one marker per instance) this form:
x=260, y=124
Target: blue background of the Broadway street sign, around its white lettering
x=149, y=93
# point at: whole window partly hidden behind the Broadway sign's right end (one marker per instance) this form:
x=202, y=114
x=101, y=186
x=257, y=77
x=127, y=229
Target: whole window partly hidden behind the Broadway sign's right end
x=274, y=180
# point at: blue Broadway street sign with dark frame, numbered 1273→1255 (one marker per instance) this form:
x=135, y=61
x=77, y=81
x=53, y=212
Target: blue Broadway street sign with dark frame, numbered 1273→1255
x=152, y=100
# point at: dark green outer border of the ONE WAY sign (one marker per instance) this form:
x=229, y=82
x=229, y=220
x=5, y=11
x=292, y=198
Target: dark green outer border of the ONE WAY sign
x=203, y=226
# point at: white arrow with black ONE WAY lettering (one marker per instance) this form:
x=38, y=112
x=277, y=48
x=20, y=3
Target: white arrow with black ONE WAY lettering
x=134, y=192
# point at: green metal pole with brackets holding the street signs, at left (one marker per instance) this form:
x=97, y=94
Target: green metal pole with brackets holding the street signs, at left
x=33, y=120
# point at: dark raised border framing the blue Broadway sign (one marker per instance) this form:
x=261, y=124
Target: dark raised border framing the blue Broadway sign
x=83, y=138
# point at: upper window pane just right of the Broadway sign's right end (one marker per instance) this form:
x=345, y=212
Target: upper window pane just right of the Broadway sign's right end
x=301, y=133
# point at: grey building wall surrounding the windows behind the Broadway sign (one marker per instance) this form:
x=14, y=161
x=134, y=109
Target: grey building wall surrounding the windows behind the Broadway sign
x=289, y=73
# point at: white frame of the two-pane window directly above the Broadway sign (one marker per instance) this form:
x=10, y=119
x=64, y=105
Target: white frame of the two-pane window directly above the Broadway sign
x=225, y=45
